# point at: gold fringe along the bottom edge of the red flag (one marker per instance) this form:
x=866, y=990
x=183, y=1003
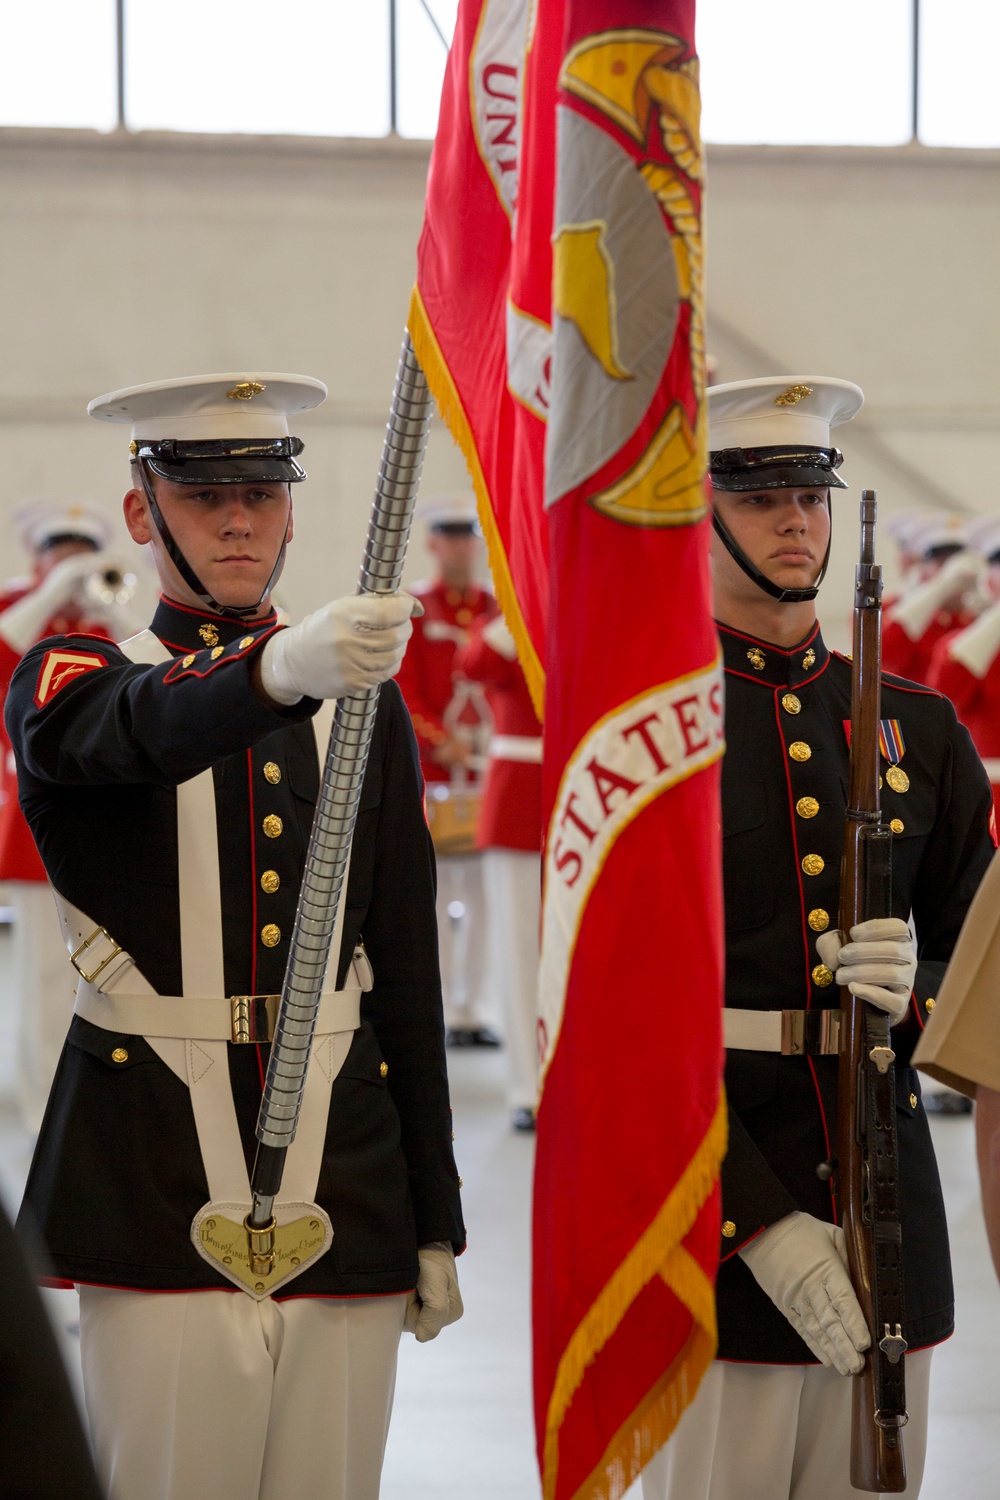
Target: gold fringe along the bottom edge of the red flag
x=659, y=1252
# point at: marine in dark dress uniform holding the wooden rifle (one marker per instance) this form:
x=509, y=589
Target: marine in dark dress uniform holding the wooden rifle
x=771, y=1421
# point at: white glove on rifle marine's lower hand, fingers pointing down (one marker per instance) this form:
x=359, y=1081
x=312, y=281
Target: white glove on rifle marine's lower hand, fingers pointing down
x=801, y=1264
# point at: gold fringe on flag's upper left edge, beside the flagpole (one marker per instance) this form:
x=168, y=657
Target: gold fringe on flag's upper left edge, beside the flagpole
x=454, y=415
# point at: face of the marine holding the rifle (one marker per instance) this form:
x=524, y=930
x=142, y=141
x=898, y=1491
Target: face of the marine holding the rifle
x=783, y=532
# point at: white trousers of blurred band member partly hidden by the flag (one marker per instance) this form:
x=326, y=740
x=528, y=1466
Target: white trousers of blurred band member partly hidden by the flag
x=512, y=880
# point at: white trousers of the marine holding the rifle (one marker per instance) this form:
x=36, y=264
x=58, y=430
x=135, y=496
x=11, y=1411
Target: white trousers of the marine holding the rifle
x=777, y=1433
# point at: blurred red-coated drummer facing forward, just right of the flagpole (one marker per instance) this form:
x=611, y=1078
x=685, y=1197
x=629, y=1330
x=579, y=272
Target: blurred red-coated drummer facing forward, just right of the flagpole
x=452, y=725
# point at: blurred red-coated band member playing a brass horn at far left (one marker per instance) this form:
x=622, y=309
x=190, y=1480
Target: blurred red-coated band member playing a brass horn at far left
x=65, y=545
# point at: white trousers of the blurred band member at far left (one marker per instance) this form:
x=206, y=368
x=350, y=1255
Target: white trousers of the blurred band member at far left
x=46, y=989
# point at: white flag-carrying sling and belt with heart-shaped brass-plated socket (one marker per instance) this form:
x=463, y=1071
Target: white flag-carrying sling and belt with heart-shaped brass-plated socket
x=191, y=1034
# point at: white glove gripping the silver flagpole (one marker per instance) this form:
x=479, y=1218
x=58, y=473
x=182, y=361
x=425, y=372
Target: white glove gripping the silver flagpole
x=346, y=647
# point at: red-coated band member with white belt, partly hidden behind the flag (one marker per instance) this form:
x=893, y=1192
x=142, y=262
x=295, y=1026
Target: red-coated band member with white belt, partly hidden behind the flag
x=510, y=839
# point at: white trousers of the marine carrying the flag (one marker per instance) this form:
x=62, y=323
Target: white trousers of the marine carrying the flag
x=275, y=1400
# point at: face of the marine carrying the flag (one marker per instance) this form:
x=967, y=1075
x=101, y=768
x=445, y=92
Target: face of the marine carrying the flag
x=230, y=535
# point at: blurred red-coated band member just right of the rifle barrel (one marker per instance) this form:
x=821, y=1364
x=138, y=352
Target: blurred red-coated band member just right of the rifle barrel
x=942, y=599
